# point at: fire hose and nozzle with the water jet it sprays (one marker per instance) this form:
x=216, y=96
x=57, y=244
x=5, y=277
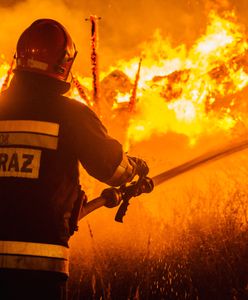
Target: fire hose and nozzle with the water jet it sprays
x=123, y=194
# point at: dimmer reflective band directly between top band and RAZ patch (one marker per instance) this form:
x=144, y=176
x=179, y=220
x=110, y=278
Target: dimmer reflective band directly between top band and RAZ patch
x=28, y=139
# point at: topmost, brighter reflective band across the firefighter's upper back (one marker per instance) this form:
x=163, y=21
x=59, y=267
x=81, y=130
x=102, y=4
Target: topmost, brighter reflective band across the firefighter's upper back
x=29, y=126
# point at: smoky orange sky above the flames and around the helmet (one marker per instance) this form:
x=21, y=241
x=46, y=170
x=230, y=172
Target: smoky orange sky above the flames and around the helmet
x=124, y=24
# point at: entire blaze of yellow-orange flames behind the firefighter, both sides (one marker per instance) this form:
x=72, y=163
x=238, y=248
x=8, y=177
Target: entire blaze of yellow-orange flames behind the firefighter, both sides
x=188, y=91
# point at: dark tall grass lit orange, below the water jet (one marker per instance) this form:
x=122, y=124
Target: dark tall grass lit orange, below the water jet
x=201, y=253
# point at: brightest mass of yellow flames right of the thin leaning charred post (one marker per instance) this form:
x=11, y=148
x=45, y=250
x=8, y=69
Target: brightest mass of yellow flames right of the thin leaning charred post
x=179, y=87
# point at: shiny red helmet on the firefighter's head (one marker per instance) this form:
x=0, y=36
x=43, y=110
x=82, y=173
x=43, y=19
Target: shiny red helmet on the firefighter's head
x=46, y=47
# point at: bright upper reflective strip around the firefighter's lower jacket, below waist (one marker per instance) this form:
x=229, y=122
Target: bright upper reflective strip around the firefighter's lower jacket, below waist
x=34, y=249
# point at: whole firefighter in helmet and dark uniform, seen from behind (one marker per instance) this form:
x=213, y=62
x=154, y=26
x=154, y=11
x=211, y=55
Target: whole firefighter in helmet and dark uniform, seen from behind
x=43, y=137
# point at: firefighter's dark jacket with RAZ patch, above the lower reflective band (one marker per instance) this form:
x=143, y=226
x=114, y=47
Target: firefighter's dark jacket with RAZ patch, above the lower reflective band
x=43, y=136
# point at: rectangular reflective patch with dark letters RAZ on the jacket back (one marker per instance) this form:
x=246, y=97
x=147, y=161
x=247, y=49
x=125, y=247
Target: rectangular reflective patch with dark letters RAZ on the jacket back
x=19, y=162
